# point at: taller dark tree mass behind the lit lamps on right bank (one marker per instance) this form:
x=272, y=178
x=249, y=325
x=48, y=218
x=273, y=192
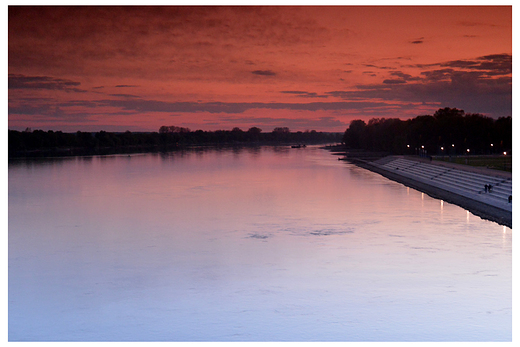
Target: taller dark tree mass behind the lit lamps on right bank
x=448, y=132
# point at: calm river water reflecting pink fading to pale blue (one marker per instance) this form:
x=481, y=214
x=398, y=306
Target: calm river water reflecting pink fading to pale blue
x=254, y=244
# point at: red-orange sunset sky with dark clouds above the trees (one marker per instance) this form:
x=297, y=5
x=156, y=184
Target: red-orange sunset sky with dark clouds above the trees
x=137, y=68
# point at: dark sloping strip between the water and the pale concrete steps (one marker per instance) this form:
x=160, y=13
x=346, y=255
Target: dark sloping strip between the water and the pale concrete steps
x=484, y=211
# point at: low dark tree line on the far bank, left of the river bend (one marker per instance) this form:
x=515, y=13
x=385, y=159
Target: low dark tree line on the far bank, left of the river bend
x=45, y=143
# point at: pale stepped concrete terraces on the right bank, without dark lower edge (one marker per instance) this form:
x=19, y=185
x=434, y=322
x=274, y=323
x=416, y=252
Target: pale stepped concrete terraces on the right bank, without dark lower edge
x=466, y=182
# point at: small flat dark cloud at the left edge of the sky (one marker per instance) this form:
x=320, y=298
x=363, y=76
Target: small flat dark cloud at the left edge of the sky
x=42, y=82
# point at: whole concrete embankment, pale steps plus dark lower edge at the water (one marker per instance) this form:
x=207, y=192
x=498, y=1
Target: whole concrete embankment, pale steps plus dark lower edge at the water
x=456, y=184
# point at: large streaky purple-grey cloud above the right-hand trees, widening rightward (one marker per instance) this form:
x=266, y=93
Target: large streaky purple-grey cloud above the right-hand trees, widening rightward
x=482, y=85
